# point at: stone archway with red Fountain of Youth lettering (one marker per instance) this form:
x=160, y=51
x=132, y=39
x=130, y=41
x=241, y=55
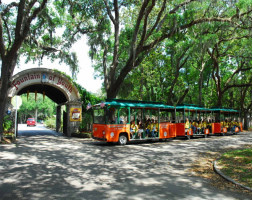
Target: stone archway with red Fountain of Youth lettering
x=57, y=87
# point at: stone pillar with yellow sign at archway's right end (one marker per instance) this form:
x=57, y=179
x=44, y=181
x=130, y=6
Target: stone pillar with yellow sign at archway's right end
x=73, y=109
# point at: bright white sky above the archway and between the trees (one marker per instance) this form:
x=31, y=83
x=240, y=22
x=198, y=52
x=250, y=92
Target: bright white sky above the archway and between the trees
x=85, y=77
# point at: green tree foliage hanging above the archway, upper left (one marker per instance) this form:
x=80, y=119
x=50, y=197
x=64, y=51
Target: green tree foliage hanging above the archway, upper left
x=46, y=37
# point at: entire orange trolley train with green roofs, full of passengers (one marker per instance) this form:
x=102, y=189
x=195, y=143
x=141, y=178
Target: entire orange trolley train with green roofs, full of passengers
x=122, y=121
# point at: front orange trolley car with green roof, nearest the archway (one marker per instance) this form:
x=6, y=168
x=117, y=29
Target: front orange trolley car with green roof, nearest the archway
x=124, y=120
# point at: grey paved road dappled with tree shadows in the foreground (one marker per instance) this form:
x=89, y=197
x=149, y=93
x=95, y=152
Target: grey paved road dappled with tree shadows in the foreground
x=56, y=167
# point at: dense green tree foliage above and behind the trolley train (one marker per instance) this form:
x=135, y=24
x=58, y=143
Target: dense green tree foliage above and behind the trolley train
x=182, y=68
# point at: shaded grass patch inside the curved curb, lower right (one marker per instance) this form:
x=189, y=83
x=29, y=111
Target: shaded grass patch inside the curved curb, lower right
x=237, y=164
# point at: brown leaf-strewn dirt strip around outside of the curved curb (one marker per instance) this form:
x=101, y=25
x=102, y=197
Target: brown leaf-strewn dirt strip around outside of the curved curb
x=203, y=166
